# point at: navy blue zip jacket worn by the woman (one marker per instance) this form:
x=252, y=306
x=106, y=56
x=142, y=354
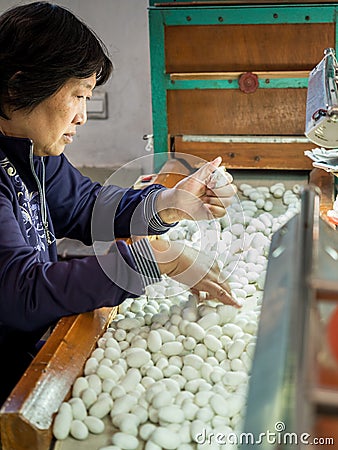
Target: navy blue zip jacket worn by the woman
x=35, y=288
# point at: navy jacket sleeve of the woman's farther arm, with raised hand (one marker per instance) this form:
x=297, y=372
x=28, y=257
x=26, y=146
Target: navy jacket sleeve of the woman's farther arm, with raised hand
x=87, y=211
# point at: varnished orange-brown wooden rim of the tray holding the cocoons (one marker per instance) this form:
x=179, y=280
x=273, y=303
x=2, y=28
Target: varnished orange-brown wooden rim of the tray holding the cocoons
x=27, y=415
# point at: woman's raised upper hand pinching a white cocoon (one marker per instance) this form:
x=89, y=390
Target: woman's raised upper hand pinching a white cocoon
x=196, y=197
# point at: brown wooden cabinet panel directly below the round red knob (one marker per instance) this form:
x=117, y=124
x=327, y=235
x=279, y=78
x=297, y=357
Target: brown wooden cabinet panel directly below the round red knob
x=231, y=112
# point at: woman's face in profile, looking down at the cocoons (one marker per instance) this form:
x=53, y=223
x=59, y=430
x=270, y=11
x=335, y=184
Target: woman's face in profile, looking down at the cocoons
x=52, y=124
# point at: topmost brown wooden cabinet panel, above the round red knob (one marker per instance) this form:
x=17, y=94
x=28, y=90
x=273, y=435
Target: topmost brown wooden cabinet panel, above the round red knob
x=246, y=47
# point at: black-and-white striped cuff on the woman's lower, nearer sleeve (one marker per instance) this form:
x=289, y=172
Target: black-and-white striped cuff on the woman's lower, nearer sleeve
x=145, y=261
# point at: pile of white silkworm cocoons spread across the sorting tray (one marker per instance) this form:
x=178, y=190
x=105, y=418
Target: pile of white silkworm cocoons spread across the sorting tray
x=171, y=366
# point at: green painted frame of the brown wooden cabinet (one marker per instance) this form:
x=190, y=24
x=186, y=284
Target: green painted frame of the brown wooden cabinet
x=167, y=13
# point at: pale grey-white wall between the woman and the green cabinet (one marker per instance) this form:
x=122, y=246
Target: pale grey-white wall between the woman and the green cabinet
x=123, y=26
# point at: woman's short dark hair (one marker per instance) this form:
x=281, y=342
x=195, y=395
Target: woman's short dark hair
x=42, y=46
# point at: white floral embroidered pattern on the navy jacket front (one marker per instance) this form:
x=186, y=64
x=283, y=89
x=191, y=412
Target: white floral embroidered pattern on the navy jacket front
x=29, y=206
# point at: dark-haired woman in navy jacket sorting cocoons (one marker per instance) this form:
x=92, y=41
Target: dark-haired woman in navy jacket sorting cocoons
x=50, y=62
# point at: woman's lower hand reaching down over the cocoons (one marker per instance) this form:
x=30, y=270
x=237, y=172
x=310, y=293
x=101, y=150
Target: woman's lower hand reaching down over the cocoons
x=193, y=268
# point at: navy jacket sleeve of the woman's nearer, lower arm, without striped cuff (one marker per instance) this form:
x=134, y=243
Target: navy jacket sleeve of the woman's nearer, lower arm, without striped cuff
x=35, y=294
